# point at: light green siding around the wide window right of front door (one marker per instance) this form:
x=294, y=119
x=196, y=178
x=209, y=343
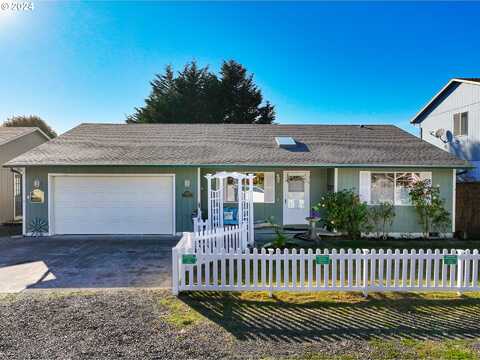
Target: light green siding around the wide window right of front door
x=406, y=219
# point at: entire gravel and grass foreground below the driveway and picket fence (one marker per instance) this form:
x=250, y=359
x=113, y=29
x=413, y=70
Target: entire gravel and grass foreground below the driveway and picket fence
x=151, y=324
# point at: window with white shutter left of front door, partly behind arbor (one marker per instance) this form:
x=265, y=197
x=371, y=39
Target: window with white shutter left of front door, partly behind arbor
x=263, y=188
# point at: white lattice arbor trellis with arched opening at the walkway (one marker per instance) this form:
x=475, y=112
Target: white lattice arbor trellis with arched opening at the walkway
x=216, y=188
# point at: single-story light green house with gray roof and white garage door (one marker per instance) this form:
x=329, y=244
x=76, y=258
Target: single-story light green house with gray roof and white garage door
x=150, y=178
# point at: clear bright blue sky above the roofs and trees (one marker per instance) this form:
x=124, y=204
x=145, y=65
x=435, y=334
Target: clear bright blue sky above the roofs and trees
x=344, y=63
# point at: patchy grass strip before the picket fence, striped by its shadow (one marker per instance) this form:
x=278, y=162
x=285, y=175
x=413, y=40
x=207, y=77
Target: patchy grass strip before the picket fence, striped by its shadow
x=388, y=325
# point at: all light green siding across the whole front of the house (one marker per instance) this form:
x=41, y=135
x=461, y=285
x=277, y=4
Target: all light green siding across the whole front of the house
x=320, y=178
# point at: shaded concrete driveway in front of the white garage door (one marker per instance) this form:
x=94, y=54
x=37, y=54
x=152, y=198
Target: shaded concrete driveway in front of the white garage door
x=69, y=262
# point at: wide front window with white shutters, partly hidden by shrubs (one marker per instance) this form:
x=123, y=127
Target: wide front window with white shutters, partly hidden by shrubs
x=391, y=187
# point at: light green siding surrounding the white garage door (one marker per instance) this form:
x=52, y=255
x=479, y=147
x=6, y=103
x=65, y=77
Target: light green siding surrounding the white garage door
x=183, y=205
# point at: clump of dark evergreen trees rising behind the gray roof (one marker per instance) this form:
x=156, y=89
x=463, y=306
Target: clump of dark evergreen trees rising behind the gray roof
x=197, y=95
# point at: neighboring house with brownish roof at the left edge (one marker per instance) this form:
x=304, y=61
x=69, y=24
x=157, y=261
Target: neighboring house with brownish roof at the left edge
x=13, y=142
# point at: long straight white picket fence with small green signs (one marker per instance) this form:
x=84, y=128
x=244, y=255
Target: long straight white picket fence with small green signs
x=360, y=270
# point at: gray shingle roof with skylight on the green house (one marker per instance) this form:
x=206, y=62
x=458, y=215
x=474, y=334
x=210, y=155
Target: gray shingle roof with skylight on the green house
x=215, y=144
